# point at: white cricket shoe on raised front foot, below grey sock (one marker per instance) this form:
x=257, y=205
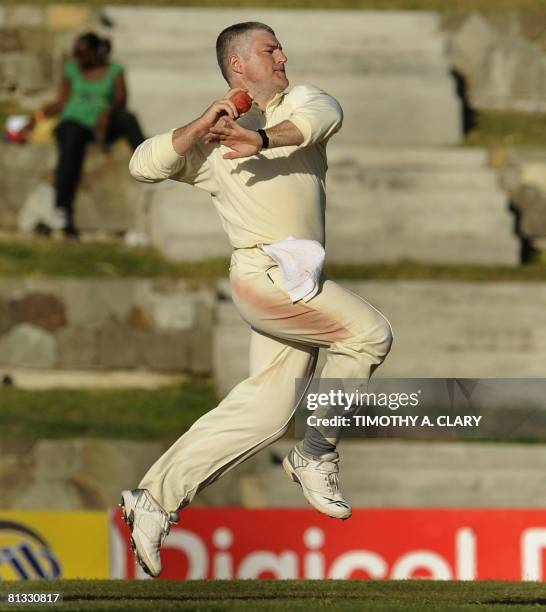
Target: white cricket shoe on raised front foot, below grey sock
x=319, y=481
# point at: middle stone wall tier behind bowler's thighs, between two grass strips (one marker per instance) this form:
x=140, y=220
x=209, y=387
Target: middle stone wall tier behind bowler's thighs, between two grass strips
x=442, y=328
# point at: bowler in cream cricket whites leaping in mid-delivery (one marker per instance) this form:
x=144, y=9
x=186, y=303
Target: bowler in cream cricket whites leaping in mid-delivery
x=266, y=185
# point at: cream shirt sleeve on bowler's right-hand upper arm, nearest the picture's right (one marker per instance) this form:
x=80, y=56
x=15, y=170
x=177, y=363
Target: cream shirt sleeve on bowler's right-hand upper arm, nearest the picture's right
x=316, y=114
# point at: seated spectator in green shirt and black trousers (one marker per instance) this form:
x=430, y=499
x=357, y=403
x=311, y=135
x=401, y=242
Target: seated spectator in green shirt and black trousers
x=91, y=107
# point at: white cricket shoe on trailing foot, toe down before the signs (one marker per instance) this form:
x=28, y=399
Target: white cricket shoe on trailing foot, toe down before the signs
x=149, y=525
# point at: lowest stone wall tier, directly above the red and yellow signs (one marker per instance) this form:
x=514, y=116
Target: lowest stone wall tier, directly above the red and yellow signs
x=69, y=475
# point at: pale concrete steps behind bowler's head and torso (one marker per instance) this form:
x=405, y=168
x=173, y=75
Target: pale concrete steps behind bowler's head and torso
x=388, y=174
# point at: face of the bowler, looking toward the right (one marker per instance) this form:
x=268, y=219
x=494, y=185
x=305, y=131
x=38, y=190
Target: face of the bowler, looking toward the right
x=263, y=62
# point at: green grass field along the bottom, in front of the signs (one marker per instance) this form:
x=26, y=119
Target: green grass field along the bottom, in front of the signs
x=293, y=596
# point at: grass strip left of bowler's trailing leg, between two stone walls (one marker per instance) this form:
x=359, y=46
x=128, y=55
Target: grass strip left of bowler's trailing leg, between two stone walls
x=159, y=414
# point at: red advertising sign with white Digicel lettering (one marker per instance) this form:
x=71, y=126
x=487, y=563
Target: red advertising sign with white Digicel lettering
x=374, y=544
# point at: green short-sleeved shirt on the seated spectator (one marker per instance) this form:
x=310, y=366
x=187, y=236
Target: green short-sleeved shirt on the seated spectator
x=89, y=97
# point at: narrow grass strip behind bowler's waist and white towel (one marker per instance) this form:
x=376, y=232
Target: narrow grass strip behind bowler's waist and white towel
x=47, y=258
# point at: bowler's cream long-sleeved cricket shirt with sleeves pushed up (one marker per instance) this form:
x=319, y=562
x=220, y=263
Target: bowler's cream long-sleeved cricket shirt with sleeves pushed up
x=269, y=196
